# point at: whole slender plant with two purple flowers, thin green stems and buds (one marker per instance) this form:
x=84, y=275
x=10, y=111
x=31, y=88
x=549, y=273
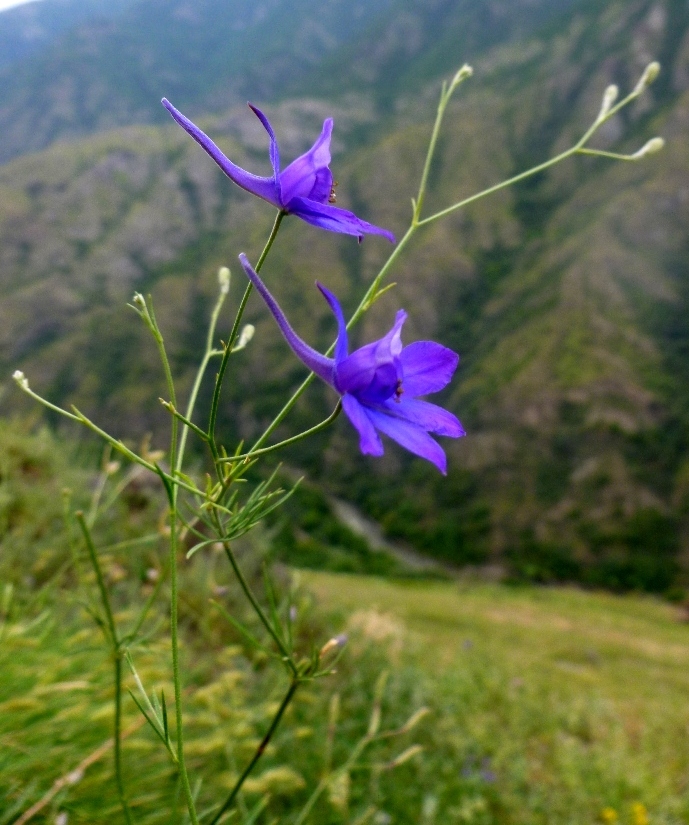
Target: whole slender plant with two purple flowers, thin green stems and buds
x=380, y=387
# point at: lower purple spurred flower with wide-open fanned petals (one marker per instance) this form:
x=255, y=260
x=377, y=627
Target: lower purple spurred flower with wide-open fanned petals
x=380, y=382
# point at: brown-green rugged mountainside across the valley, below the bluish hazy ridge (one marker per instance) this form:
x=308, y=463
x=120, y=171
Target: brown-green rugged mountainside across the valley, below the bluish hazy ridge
x=567, y=297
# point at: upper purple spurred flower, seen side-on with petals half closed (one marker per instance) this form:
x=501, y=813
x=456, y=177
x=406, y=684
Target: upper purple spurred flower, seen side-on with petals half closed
x=304, y=188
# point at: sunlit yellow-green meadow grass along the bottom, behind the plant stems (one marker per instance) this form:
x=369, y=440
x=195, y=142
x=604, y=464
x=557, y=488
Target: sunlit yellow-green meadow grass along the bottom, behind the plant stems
x=547, y=705
